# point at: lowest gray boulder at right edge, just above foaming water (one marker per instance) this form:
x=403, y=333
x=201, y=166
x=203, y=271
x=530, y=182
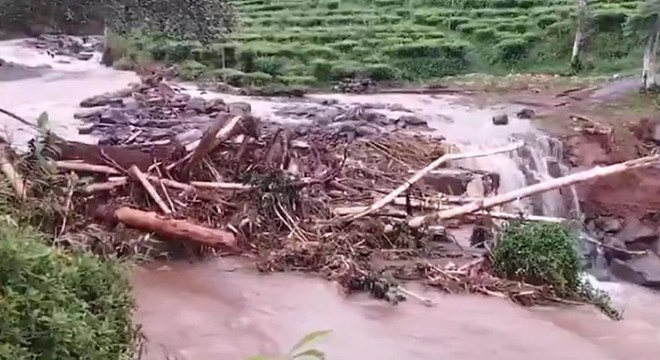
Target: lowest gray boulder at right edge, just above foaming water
x=641, y=270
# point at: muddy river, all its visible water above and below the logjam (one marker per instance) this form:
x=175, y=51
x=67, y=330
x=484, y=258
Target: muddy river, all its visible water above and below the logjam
x=223, y=309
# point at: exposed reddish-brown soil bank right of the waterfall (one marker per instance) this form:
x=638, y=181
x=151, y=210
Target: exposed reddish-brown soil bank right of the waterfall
x=615, y=105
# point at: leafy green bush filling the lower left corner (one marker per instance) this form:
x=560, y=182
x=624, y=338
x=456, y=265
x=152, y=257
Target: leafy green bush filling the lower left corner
x=57, y=305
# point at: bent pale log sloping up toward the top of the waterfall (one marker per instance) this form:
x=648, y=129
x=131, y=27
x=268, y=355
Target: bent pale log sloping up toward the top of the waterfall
x=430, y=167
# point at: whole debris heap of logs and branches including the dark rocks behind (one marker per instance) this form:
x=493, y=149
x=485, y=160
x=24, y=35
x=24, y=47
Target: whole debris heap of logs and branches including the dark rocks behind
x=300, y=198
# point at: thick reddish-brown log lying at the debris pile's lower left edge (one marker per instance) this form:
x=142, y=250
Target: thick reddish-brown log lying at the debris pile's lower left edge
x=169, y=228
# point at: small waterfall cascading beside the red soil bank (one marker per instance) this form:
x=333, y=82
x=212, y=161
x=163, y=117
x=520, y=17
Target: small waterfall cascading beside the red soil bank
x=539, y=160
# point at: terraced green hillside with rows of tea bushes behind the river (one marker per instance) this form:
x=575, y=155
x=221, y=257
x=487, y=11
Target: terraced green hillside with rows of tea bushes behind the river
x=318, y=41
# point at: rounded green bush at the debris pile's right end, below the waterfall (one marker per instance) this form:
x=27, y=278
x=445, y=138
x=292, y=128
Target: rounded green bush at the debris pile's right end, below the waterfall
x=546, y=254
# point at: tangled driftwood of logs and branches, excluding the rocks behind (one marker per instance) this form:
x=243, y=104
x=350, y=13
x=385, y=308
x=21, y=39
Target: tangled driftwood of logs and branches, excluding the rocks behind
x=303, y=201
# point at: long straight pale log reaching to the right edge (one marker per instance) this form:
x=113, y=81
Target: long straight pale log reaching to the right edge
x=542, y=187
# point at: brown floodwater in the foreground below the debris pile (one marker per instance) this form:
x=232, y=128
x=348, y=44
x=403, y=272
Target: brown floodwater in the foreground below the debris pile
x=223, y=309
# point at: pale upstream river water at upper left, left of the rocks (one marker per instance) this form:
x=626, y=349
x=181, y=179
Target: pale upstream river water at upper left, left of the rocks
x=53, y=86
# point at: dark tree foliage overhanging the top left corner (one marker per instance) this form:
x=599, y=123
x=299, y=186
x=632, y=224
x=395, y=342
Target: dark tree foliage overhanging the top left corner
x=200, y=20
